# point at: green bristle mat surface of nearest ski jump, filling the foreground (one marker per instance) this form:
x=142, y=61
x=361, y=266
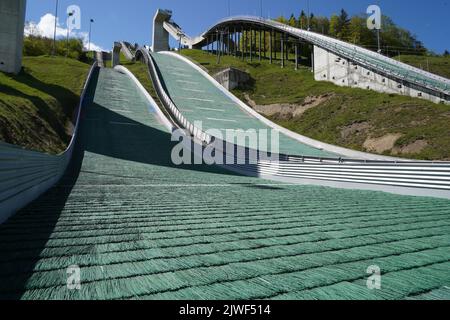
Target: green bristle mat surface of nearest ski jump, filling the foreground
x=141, y=228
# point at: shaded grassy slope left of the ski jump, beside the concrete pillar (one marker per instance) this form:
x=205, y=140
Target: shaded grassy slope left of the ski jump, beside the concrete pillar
x=37, y=106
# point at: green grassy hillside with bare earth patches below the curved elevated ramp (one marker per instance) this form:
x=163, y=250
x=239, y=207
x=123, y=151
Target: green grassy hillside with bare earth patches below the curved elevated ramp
x=416, y=119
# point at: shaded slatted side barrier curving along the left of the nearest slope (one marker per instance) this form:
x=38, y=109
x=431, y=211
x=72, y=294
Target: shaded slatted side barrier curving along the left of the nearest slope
x=25, y=174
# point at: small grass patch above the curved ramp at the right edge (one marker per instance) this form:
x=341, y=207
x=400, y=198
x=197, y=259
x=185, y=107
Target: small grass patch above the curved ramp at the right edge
x=439, y=65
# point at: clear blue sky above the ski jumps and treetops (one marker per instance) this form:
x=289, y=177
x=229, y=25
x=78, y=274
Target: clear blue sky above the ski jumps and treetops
x=132, y=20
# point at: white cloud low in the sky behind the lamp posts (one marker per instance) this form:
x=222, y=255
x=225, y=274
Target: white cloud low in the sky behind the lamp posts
x=46, y=28
